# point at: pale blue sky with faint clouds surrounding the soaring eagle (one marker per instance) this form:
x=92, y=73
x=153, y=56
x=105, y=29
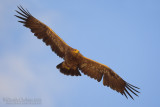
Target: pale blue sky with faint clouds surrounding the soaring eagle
x=123, y=34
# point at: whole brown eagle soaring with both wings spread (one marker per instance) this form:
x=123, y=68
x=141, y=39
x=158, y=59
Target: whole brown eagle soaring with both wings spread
x=74, y=61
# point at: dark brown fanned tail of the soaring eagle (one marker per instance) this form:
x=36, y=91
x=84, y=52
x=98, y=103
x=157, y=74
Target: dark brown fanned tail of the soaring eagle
x=67, y=70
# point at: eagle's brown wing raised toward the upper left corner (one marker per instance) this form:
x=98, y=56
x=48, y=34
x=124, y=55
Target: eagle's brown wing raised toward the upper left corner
x=42, y=31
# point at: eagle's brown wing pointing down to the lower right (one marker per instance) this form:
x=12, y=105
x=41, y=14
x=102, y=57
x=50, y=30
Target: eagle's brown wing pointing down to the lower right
x=110, y=78
